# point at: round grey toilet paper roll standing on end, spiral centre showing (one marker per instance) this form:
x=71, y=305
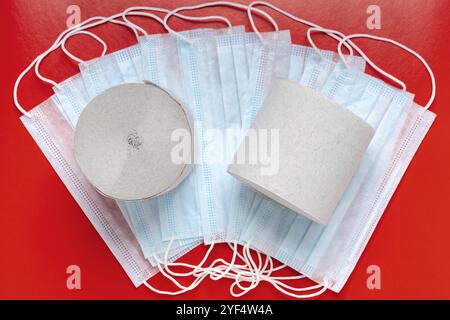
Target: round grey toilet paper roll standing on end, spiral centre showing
x=125, y=140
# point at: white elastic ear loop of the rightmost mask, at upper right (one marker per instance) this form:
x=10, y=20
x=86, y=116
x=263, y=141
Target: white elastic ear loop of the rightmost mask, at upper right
x=402, y=46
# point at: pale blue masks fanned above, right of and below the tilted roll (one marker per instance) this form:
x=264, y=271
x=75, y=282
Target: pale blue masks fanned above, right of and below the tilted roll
x=328, y=254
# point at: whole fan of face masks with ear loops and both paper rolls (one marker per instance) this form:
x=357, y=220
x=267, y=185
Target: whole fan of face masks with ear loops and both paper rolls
x=284, y=152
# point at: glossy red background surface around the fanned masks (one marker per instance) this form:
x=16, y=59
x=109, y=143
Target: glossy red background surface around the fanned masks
x=42, y=229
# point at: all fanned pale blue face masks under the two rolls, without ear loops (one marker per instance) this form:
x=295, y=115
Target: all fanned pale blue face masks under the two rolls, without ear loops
x=223, y=76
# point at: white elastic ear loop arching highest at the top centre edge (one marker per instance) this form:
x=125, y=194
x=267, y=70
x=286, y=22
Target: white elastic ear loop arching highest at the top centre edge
x=213, y=4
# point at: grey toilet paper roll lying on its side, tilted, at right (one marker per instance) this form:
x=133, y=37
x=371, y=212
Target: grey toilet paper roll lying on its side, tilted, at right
x=317, y=147
